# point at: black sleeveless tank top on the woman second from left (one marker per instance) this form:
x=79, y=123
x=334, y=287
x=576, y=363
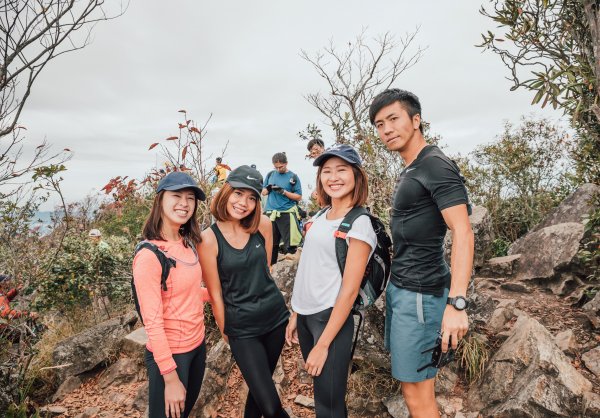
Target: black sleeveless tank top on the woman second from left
x=254, y=304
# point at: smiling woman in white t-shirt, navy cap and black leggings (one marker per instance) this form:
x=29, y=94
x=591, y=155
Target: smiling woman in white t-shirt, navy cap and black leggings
x=322, y=299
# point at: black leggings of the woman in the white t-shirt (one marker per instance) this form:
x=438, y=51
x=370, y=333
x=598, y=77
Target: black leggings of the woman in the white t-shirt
x=330, y=385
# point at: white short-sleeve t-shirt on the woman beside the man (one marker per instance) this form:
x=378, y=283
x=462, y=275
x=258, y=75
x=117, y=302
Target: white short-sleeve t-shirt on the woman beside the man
x=318, y=279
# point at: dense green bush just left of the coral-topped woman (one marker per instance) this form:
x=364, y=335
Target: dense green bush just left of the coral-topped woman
x=86, y=272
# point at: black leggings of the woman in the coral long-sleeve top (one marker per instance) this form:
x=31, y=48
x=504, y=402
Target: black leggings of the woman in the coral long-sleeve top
x=190, y=369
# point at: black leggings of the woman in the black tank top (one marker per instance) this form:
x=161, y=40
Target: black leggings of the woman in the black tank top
x=257, y=357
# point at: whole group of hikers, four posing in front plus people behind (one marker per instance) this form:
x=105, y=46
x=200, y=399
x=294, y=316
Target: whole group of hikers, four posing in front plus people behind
x=425, y=298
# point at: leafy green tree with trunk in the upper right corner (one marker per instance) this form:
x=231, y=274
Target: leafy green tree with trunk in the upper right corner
x=549, y=48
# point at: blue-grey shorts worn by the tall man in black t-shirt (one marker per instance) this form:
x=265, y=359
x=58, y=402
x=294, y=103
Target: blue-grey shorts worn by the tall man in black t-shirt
x=412, y=323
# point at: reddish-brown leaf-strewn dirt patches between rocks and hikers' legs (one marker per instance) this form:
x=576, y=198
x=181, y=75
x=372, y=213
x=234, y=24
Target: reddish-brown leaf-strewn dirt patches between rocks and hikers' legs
x=552, y=311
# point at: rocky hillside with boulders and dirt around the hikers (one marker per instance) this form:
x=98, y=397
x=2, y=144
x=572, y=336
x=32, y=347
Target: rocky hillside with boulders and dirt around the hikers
x=534, y=311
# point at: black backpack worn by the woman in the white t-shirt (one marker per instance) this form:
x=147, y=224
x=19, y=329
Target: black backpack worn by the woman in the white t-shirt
x=378, y=270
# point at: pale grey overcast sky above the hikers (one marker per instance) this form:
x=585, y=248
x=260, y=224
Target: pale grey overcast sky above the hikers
x=240, y=61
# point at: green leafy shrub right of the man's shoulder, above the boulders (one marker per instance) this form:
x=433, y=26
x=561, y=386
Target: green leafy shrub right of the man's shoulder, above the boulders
x=519, y=177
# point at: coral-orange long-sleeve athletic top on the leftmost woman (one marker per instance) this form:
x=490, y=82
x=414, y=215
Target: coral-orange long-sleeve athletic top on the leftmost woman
x=174, y=319
